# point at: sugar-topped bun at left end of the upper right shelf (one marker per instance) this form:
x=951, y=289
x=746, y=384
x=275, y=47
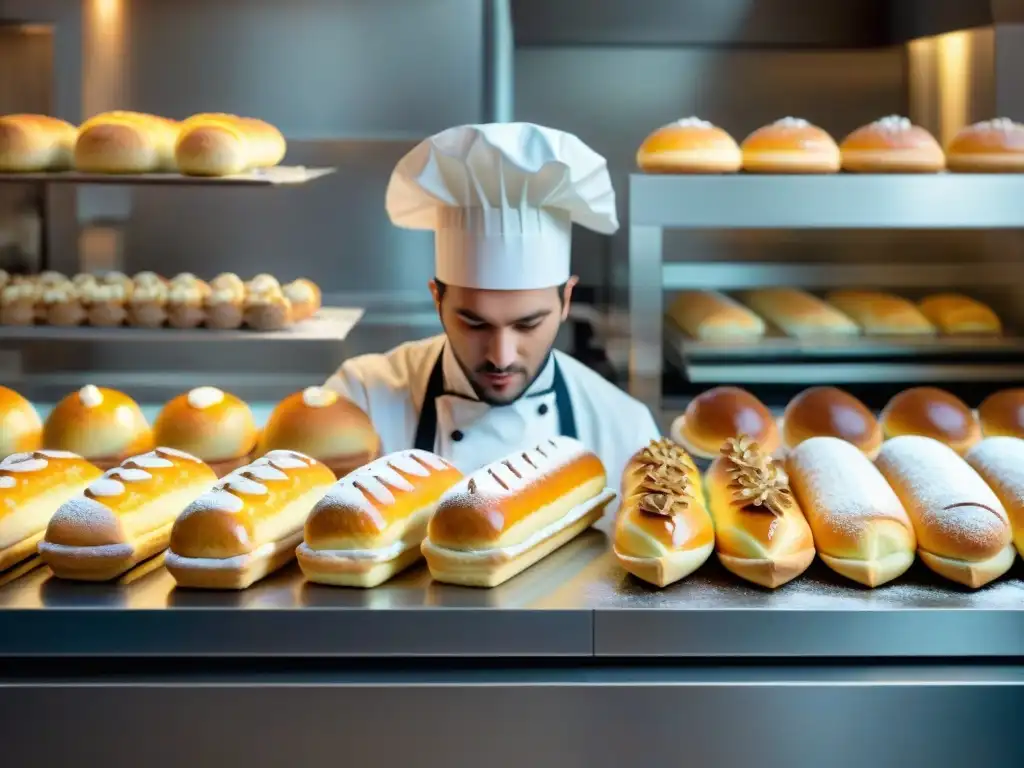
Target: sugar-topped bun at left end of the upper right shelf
x=690, y=146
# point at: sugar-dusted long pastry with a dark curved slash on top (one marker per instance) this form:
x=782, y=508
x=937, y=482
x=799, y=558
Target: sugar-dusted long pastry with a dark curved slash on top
x=962, y=528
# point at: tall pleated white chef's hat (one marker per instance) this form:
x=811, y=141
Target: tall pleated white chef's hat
x=502, y=199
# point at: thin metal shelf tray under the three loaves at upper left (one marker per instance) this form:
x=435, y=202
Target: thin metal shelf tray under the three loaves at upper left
x=277, y=177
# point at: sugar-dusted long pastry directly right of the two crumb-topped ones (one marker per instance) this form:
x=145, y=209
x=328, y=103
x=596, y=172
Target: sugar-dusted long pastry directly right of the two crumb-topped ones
x=861, y=528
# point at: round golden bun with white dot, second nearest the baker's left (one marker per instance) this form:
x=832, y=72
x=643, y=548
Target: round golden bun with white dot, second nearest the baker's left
x=210, y=424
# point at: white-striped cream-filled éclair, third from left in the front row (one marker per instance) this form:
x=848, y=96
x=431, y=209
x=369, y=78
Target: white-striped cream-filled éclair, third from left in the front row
x=249, y=525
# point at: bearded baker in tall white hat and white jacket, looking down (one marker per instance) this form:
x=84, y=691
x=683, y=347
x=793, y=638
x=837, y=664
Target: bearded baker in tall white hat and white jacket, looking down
x=501, y=200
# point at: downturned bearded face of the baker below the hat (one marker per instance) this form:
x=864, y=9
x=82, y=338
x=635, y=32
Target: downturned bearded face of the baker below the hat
x=502, y=338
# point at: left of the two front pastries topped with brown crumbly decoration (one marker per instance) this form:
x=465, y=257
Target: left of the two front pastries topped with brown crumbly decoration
x=663, y=530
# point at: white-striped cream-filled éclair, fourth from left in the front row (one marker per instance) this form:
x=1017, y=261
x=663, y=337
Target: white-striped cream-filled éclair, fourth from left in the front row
x=371, y=525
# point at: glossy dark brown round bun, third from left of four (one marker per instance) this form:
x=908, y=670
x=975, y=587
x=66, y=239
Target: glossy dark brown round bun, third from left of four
x=933, y=413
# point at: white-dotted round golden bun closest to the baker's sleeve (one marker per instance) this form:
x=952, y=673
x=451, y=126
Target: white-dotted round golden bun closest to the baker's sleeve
x=322, y=424
